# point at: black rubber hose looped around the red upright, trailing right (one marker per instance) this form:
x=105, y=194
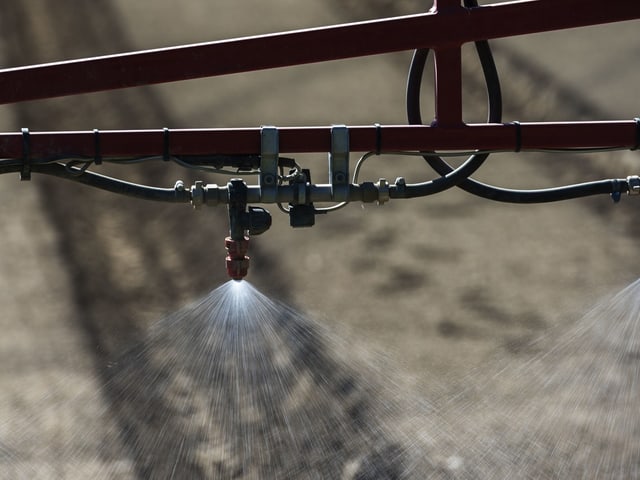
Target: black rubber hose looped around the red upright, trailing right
x=416, y=72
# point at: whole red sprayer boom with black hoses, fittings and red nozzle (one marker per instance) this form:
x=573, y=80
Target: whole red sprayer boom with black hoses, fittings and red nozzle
x=258, y=151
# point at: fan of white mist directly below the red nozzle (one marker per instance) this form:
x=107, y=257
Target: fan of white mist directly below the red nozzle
x=239, y=386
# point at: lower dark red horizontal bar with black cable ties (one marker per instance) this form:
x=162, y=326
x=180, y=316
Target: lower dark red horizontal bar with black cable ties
x=505, y=137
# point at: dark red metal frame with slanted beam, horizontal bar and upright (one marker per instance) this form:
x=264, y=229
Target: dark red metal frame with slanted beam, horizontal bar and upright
x=444, y=29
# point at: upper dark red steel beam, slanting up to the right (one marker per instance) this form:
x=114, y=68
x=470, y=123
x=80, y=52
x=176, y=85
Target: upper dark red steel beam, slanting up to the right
x=450, y=27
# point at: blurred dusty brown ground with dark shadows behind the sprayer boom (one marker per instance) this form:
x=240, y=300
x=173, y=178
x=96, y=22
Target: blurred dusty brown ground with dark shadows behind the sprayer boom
x=444, y=285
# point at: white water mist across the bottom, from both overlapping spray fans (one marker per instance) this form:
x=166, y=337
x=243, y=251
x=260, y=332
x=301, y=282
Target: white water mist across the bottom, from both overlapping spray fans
x=239, y=386
